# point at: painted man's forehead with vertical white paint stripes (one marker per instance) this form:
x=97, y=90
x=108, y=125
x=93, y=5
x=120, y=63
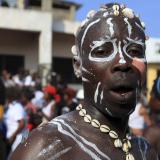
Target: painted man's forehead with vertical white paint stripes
x=115, y=27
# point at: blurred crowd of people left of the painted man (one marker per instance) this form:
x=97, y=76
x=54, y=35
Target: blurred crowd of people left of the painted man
x=25, y=104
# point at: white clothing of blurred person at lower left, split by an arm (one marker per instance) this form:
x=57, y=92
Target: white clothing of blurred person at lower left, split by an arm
x=14, y=113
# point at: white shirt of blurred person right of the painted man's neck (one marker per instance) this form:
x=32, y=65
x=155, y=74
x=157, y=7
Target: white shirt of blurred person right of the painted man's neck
x=135, y=119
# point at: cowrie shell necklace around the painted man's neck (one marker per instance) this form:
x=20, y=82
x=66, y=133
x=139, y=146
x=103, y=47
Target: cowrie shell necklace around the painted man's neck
x=124, y=144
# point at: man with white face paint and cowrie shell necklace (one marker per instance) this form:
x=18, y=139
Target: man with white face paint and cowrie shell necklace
x=109, y=56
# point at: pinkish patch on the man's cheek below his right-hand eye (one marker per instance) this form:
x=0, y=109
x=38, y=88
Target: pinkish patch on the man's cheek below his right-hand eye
x=141, y=67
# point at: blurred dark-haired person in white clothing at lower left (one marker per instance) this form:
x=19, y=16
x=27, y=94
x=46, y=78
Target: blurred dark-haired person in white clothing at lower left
x=14, y=117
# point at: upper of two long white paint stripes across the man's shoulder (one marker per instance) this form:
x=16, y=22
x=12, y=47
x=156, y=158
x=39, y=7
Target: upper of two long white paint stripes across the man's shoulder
x=83, y=139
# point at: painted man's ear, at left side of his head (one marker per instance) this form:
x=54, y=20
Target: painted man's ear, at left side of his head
x=77, y=66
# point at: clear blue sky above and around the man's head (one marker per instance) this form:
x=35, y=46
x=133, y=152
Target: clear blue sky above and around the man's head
x=149, y=11
